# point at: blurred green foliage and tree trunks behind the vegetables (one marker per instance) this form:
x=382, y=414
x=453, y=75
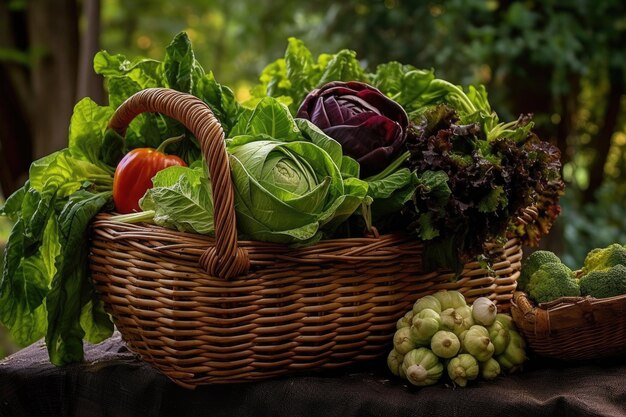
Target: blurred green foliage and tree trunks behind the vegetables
x=563, y=61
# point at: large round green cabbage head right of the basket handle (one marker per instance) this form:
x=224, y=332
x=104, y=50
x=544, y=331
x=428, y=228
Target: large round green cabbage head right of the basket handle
x=290, y=192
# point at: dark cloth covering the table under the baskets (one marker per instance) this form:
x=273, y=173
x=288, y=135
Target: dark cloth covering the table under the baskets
x=113, y=382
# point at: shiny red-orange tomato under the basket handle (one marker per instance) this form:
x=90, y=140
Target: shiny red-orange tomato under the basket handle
x=133, y=176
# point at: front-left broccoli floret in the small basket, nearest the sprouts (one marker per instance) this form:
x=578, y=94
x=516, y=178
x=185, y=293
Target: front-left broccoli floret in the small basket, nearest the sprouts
x=551, y=281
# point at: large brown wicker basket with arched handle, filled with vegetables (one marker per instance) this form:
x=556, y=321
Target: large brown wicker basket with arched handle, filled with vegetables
x=204, y=310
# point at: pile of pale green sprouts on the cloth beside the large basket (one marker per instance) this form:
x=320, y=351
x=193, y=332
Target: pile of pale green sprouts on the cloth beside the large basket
x=444, y=334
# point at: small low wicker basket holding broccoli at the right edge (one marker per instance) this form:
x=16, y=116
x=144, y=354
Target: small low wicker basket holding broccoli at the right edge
x=572, y=328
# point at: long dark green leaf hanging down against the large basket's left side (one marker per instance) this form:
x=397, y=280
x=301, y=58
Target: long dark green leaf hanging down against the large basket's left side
x=71, y=288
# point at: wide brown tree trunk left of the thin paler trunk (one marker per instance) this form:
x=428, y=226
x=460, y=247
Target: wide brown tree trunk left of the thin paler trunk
x=53, y=34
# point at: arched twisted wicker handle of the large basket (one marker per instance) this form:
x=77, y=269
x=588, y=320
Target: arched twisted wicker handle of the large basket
x=226, y=259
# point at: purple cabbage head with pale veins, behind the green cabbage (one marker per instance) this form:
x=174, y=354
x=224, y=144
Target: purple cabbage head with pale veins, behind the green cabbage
x=370, y=127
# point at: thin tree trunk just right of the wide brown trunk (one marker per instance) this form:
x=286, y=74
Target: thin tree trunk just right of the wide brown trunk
x=90, y=84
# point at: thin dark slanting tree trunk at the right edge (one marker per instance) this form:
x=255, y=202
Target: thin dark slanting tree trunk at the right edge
x=602, y=142
